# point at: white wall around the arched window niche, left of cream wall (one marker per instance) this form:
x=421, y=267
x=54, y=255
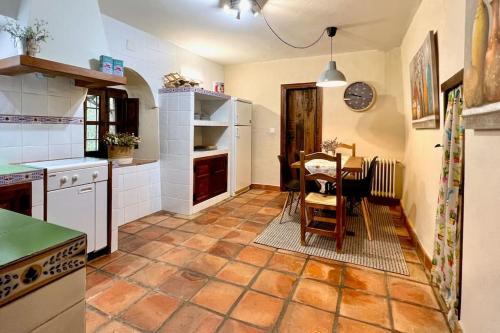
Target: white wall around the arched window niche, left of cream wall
x=151, y=58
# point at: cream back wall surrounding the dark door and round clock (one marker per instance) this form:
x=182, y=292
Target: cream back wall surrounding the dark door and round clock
x=379, y=131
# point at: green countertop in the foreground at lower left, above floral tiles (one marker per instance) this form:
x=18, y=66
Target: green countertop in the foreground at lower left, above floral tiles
x=22, y=236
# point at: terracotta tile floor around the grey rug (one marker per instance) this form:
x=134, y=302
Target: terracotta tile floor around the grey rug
x=204, y=274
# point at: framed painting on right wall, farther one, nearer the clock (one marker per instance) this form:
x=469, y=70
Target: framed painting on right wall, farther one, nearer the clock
x=424, y=85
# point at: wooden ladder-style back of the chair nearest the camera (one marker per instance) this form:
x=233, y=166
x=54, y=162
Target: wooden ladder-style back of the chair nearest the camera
x=305, y=176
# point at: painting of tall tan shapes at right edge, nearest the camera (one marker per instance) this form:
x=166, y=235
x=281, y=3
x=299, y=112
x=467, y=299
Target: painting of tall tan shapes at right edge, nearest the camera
x=482, y=65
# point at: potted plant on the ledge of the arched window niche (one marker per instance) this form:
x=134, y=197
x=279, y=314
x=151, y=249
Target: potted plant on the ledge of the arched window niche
x=121, y=147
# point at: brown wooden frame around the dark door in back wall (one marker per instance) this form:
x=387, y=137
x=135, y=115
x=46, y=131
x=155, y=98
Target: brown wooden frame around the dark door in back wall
x=319, y=118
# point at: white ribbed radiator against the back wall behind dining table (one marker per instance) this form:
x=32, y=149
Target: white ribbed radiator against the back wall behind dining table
x=387, y=177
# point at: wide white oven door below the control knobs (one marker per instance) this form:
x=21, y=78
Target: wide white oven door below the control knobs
x=74, y=208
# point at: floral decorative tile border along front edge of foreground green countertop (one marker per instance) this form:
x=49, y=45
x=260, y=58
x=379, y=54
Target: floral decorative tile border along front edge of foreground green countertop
x=33, y=273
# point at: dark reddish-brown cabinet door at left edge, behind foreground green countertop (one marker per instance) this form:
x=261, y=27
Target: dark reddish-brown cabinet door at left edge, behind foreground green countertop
x=16, y=198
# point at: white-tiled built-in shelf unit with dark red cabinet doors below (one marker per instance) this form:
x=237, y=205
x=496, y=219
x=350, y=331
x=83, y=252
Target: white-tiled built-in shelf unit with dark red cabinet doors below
x=192, y=178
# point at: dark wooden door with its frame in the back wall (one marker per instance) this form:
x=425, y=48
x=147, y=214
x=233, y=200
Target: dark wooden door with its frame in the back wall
x=301, y=124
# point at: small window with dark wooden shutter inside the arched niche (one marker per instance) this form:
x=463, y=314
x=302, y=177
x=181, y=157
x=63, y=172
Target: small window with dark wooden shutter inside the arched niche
x=108, y=110
